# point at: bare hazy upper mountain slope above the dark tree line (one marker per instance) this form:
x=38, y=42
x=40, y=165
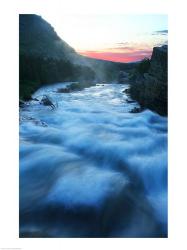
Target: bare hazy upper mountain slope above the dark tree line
x=38, y=38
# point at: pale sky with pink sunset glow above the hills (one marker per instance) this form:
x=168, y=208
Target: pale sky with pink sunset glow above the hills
x=120, y=38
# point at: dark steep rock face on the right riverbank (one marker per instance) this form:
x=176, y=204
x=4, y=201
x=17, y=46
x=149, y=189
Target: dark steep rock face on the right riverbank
x=150, y=88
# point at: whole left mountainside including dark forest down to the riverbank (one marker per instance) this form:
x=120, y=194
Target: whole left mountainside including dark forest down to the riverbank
x=45, y=58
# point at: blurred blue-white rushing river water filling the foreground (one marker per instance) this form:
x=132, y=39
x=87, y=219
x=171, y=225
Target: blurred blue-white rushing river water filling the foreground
x=90, y=168
